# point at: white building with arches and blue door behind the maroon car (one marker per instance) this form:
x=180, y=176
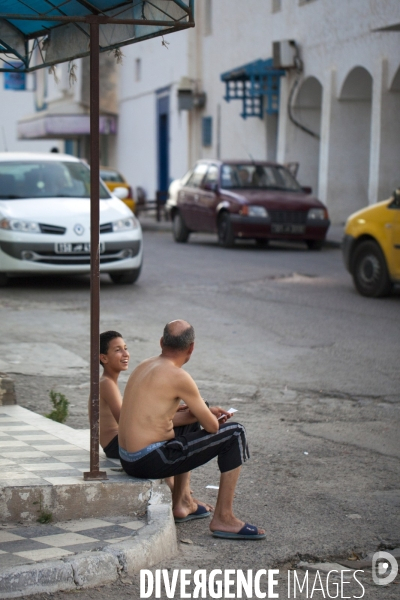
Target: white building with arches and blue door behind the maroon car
x=347, y=94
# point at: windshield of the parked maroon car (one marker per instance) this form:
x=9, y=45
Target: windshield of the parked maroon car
x=253, y=176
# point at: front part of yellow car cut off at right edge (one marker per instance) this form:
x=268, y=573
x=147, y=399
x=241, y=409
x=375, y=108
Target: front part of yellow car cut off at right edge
x=371, y=247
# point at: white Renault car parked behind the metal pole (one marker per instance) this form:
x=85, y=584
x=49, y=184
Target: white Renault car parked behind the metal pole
x=45, y=220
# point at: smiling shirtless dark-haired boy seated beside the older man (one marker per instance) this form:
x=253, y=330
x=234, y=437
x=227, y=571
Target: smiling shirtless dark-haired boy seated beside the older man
x=114, y=358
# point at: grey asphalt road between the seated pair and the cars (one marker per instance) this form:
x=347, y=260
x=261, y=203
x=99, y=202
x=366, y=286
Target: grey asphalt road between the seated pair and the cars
x=281, y=335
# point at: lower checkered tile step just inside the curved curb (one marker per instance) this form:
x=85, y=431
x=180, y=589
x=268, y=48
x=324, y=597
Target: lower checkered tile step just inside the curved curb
x=21, y=545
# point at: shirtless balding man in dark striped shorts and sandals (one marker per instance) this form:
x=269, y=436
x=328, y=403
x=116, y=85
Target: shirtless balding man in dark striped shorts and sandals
x=150, y=449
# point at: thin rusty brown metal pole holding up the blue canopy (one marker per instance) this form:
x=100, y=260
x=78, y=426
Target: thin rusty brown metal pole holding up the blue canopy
x=94, y=472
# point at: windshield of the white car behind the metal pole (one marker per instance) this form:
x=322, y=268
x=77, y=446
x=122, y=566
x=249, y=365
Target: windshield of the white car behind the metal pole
x=46, y=179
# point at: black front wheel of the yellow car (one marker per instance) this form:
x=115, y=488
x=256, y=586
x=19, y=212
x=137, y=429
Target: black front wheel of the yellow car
x=370, y=274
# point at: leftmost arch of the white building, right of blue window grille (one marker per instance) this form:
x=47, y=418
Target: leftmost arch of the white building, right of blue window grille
x=306, y=110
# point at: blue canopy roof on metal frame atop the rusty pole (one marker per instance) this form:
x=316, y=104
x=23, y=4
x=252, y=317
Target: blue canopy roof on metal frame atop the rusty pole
x=46, y=32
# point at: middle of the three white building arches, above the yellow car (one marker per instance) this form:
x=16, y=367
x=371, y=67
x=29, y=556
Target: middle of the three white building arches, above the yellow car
x=351, y=142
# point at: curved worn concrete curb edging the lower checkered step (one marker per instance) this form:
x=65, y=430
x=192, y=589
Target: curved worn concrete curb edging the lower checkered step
x=153, y=542
